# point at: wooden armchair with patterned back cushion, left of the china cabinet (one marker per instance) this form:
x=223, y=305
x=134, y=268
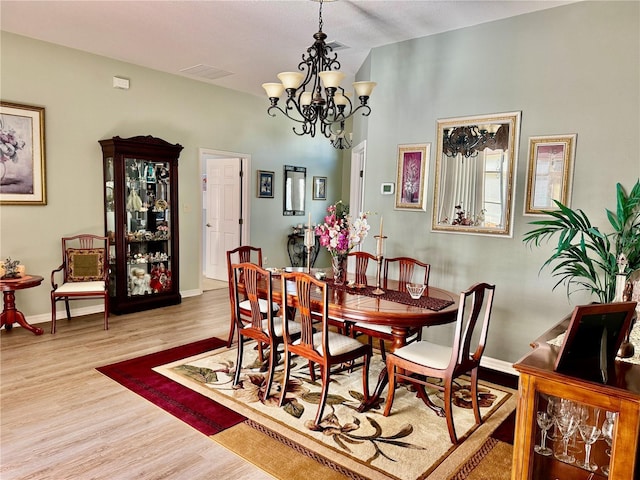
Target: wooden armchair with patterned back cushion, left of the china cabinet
x=85, y=274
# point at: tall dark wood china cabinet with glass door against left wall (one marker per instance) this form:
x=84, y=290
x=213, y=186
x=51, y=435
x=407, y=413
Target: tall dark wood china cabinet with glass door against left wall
x=141, y=220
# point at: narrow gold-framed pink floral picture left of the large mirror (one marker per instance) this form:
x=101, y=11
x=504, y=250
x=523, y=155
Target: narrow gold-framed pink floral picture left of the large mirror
x=413, y=167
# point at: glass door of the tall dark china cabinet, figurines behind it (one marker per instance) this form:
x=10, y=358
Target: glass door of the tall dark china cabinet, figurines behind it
x=148, y=227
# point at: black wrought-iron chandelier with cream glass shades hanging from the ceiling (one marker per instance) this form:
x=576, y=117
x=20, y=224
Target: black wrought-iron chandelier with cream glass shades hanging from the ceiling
x=308, y=103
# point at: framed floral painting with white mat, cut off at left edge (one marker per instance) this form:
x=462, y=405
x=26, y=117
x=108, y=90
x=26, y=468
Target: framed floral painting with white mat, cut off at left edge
x=22, y=168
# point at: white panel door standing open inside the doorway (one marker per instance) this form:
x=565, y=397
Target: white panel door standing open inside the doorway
x=223, y=205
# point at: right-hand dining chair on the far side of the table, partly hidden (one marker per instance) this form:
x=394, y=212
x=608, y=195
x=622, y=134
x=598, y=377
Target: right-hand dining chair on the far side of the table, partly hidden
x=406, y=268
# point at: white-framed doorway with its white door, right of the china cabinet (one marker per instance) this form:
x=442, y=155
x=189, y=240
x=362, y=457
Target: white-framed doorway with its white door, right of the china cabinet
x=225, y=208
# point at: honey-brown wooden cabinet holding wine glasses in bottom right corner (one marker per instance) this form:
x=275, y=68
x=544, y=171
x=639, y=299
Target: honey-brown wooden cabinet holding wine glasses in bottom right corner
x=616, y=402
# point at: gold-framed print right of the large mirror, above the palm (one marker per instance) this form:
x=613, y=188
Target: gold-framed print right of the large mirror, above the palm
x=550, y=173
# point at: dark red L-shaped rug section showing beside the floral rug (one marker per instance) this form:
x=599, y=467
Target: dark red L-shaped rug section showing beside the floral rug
x=200, y=412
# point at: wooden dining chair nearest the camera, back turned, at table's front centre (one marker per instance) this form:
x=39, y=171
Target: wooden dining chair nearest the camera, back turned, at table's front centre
x=323, y=347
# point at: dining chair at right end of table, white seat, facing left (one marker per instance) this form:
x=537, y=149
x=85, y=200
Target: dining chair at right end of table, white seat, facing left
x=421, y=362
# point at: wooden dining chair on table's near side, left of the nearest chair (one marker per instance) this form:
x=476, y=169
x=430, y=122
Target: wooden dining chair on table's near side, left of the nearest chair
x=263, y=327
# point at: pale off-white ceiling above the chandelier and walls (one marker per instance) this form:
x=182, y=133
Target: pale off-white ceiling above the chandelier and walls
x=246, y=41
